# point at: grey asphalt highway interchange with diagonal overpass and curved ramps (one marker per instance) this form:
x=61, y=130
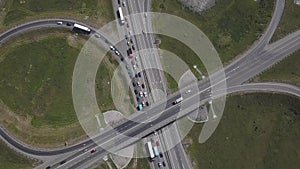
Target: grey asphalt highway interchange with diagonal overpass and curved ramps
x=258, y=58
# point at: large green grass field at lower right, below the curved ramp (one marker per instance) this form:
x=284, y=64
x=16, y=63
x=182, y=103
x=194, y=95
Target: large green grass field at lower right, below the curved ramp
x=256, y=131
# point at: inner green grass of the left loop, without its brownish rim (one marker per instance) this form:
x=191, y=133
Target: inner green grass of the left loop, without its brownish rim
x=36, y=80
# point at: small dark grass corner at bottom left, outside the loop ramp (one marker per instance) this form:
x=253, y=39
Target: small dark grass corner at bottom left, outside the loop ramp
x=9, y=159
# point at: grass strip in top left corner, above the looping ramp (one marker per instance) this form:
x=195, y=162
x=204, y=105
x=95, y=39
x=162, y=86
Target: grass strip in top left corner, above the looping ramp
x=94, y=12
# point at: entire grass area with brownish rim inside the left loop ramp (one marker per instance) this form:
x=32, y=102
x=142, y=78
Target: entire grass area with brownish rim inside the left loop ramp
x=36, y=71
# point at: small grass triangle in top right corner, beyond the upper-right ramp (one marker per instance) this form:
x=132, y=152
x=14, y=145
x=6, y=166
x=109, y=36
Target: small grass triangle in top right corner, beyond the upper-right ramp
x=289, y=22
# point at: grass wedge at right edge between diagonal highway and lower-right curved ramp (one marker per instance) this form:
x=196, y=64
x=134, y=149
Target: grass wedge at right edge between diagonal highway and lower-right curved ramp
x=286, y=71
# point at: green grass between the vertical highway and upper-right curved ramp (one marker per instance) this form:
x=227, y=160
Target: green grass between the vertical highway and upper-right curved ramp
x=231, y=25
